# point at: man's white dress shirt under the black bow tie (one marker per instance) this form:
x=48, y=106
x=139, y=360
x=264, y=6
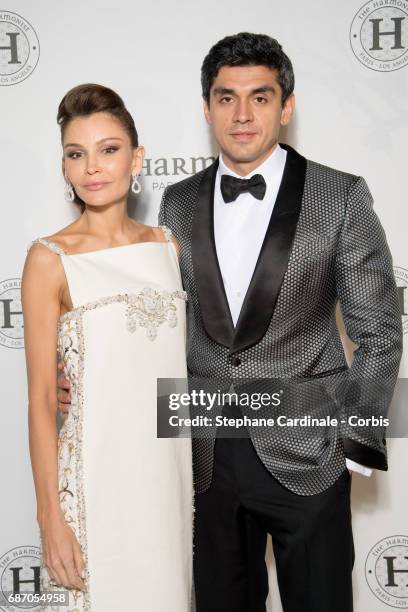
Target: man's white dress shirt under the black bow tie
x=239, y=230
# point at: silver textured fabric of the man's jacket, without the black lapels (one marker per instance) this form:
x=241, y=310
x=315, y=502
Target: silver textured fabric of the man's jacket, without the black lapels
x=339, y=253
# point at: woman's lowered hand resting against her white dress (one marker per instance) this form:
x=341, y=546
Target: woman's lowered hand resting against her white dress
x=62, y=553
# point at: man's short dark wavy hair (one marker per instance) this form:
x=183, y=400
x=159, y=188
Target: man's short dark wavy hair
x=246, y=49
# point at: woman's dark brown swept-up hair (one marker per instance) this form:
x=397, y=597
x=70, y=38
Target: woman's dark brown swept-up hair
x=89, y=98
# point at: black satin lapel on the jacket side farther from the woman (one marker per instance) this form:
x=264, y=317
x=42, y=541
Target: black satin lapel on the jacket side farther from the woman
x=272, y=263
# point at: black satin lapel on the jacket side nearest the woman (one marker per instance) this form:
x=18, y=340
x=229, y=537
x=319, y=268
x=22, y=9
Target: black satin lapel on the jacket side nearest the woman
x=210, y=288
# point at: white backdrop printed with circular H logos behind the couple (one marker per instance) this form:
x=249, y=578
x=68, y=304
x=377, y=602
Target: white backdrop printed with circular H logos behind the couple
x=350, y=115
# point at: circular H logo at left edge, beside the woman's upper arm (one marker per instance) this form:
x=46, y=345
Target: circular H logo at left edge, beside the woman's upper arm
x=11, y=314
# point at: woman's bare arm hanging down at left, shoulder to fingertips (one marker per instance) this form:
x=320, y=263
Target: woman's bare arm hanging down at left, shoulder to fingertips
x=43, y=280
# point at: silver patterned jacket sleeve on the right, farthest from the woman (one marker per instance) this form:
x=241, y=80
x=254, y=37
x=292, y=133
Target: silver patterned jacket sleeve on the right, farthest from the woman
x=369, y=304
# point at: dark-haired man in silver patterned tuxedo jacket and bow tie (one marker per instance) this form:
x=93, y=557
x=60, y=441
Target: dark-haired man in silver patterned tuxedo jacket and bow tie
x=269, y=243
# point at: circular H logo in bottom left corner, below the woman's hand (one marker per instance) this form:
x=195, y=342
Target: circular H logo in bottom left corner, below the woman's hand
x=20, y=578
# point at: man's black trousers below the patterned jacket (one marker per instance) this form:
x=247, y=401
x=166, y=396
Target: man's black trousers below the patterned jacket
x=312, y=539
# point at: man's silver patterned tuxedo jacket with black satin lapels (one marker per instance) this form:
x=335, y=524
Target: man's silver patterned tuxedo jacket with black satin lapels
x=324, y=244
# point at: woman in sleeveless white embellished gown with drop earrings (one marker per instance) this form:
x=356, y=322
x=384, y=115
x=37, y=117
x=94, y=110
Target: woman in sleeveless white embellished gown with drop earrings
x=114, y=502
